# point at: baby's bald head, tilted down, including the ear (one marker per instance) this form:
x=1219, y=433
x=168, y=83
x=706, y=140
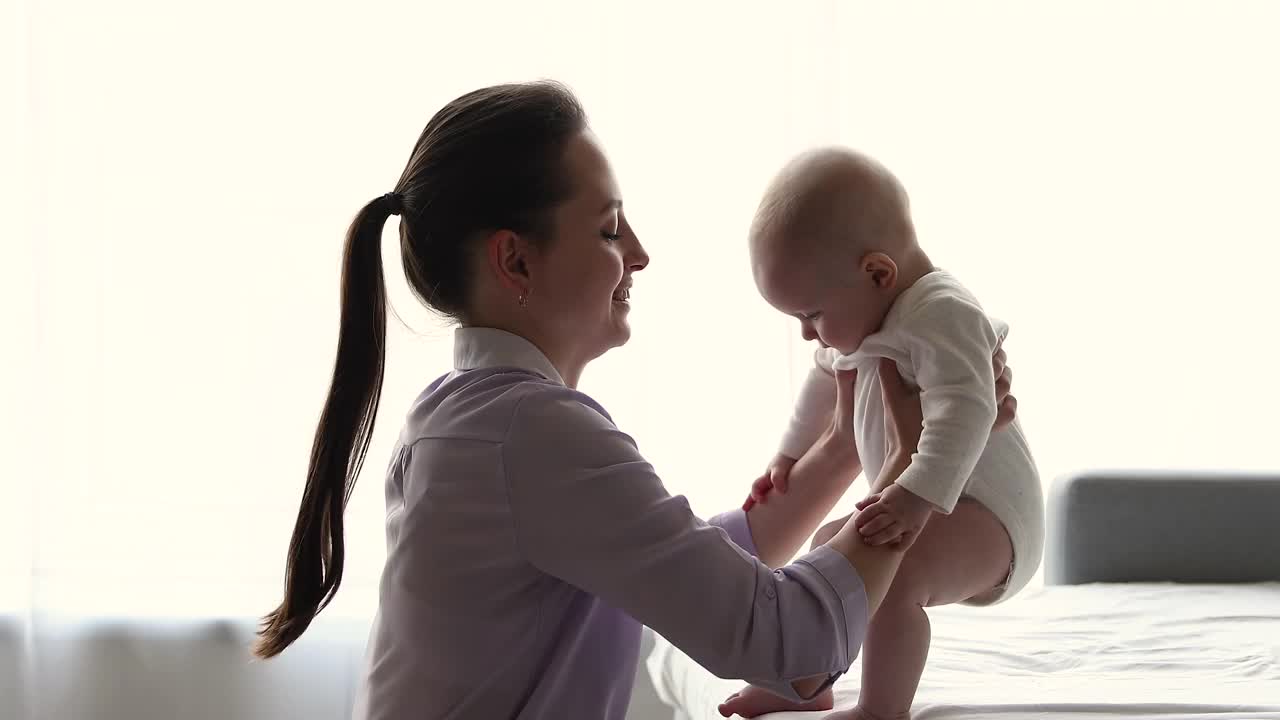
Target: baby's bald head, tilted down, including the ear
x=833, y=244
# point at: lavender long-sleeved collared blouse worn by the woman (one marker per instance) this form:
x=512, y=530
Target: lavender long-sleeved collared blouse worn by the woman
x=529, y=540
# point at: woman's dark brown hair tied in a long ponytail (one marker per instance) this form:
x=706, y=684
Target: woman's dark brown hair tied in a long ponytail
x=488, y=161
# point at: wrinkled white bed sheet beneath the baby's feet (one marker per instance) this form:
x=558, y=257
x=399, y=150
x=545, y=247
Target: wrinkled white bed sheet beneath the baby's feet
x=1069, y=653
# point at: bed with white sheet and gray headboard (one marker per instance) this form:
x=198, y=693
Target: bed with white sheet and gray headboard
x=1162, y=600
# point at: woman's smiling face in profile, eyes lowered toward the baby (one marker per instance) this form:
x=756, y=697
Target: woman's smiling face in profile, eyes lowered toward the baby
x=580, y=281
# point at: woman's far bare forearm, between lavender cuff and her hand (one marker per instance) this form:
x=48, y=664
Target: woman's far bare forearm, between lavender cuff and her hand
x=781, y=526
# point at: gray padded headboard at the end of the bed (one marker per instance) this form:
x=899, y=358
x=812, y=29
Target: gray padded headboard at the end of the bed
x=1116, y=527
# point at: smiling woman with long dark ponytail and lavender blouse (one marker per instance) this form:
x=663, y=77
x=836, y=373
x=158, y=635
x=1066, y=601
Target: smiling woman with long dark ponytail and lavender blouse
x=528, y=539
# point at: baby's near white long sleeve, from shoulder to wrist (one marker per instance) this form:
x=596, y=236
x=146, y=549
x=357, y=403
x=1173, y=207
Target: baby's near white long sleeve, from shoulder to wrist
x=952, y=343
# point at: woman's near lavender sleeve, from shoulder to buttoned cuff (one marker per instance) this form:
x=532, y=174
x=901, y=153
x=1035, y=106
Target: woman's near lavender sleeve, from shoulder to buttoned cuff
x=588, y=509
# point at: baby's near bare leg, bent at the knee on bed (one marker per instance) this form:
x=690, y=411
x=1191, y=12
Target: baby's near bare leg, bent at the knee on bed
x=957, y=557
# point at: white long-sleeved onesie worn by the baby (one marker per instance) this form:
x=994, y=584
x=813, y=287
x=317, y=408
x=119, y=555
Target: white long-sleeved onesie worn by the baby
x=943, y=343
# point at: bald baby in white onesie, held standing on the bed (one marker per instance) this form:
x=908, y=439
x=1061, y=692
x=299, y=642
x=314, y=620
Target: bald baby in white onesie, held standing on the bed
x=834, y=245
